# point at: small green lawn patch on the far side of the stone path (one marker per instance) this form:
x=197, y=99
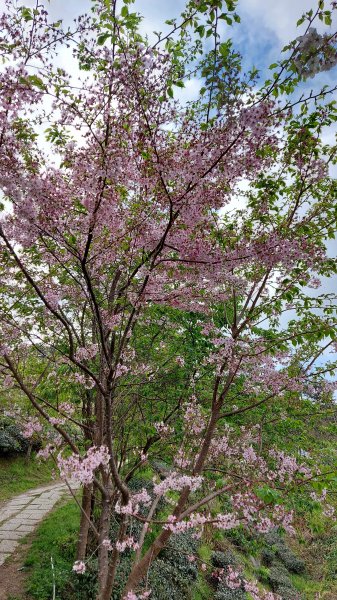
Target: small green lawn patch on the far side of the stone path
x=19, y=474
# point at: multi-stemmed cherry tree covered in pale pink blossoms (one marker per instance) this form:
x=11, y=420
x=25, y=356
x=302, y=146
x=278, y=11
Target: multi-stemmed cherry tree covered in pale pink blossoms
x=157, y=259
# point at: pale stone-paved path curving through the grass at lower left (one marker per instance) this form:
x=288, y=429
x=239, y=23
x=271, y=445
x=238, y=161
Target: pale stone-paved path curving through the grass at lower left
x=23, y=513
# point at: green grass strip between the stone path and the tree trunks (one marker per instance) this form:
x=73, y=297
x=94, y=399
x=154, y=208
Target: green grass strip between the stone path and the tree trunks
x=55, y=539
